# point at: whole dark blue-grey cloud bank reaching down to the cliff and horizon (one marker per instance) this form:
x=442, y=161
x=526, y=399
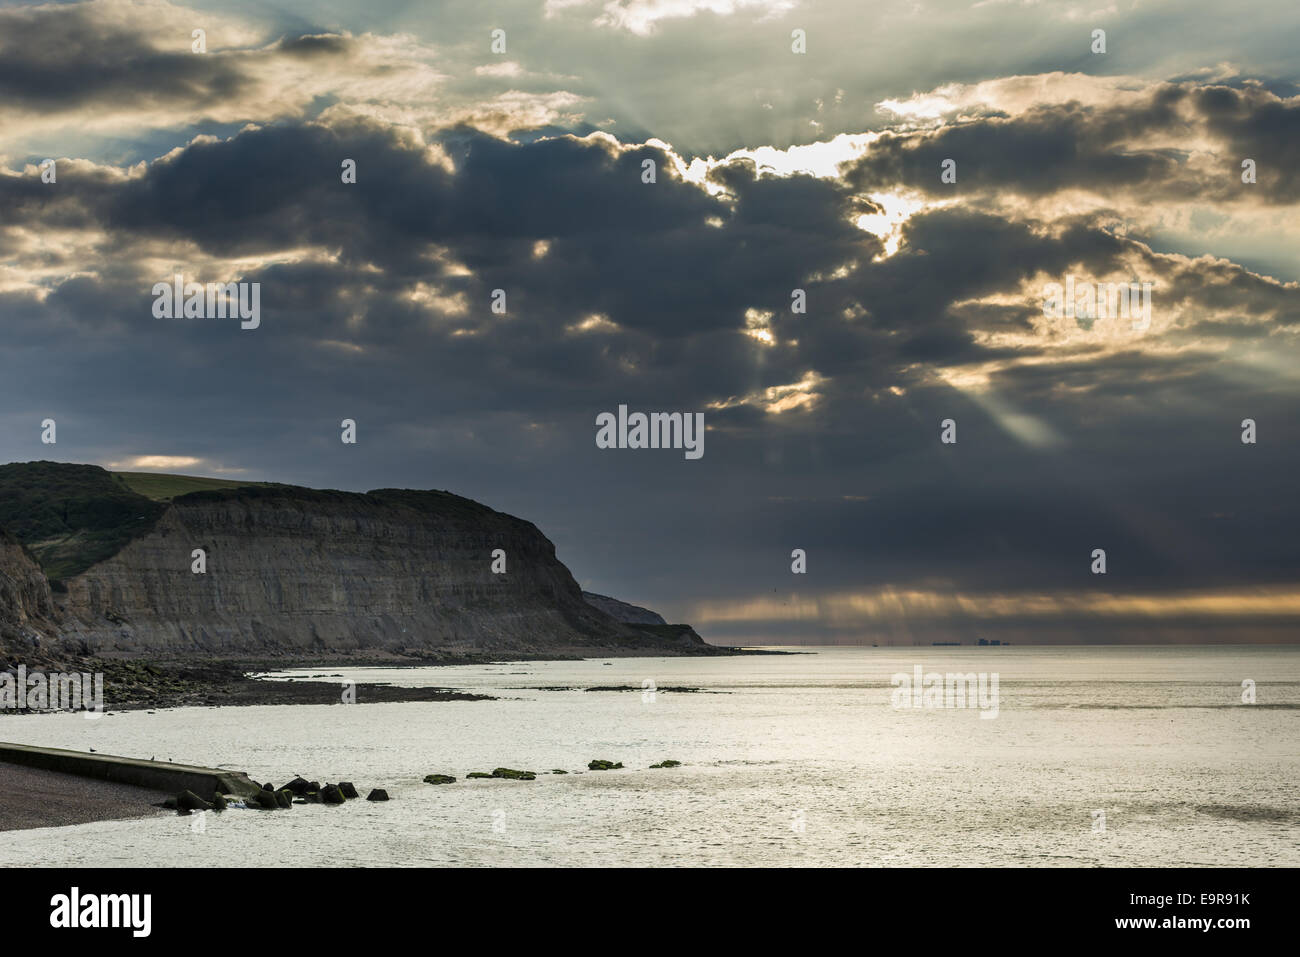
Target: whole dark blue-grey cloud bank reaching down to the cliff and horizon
x=1134, y=451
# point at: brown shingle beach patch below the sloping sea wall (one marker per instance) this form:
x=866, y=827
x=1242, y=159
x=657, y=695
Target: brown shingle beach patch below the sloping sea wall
x=34, y=798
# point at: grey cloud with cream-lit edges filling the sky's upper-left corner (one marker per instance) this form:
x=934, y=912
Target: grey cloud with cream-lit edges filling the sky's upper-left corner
x=107, y=68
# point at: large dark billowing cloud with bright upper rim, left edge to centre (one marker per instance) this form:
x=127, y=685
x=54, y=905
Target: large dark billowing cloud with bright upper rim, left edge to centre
x=642, y=254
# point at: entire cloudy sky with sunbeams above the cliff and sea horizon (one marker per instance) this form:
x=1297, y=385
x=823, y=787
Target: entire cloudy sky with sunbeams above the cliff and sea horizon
x=795, y=146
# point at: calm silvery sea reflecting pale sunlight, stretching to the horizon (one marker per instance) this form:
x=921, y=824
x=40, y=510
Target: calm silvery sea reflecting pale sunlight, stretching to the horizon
x=787, y=761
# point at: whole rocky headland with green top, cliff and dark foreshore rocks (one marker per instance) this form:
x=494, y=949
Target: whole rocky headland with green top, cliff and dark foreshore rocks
x=175, y=587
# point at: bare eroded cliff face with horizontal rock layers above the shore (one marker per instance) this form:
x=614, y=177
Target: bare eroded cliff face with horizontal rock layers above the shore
x=305, y=573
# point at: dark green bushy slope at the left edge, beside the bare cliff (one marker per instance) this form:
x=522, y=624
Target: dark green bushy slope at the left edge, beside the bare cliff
x=72, y=517
